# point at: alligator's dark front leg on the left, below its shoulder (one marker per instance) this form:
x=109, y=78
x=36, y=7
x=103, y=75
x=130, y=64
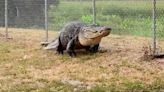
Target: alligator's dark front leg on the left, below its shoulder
x=71, y=48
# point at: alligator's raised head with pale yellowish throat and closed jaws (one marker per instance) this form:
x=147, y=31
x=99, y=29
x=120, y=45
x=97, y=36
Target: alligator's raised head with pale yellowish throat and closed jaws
x=92, y=35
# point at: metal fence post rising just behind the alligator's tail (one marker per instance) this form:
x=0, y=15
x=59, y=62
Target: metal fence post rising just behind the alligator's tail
x=46, y=21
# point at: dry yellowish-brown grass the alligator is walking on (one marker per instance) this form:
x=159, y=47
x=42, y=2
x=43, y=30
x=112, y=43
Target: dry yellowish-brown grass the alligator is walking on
x=25, y=66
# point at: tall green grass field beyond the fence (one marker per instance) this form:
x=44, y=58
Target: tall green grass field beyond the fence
x=125, y=17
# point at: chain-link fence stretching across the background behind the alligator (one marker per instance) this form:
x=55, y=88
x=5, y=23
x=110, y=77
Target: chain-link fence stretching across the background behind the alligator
x=126, y=17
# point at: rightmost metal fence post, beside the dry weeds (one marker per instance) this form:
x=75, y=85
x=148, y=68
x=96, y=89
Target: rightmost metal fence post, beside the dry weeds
x=154, y=27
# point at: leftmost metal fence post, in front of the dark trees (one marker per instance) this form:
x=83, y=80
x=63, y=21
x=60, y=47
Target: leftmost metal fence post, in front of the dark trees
x=6, y=19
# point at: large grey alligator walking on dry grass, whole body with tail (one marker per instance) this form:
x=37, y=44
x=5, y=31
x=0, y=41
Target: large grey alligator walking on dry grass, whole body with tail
x=77, y=35
